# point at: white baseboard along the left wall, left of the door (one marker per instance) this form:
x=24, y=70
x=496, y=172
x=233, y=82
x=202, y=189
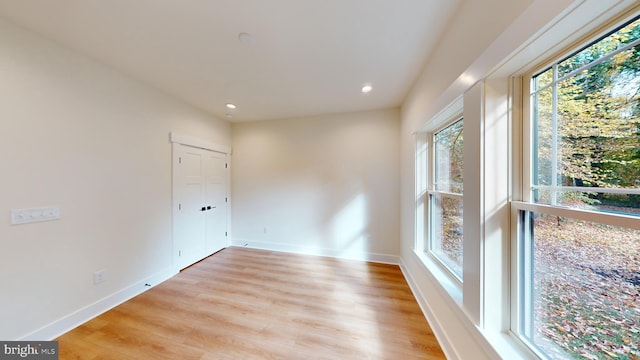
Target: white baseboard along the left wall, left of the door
x=79, y=317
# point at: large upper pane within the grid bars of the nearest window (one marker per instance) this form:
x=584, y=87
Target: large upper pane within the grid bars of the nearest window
x=598, y=126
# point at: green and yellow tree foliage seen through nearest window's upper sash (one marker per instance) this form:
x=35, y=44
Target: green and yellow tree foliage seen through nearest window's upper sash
x=598, y=115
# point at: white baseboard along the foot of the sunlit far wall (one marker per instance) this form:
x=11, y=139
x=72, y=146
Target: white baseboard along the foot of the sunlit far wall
x=318, y=251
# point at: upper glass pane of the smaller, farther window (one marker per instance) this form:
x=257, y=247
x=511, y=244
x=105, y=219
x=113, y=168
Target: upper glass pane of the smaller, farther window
x=448, y=147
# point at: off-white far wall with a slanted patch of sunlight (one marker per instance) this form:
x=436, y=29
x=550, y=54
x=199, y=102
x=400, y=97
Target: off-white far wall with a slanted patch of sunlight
x=324, y=185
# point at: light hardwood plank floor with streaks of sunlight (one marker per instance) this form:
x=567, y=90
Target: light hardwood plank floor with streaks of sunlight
x=253, y=304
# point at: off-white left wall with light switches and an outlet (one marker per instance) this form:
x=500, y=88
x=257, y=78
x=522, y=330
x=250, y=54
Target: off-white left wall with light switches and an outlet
x=82, y=137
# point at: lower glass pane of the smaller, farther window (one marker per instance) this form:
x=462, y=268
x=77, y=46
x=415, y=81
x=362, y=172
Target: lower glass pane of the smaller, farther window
x=446, y=232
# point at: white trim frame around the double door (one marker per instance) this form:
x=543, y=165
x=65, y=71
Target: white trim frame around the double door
x=180, y=139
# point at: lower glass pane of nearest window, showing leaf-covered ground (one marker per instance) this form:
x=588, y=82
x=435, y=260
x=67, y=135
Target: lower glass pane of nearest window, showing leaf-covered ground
x=584, y=297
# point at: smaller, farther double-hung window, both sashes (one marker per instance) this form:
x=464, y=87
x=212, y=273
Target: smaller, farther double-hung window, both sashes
x=445, y=198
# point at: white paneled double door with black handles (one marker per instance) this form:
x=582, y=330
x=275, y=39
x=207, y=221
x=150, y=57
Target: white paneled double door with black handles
x=200, y=203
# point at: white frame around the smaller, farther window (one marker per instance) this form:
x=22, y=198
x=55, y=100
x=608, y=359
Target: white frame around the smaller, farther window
x=468, y=294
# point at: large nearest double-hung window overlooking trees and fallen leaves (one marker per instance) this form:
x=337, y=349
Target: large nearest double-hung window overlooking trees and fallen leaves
x=578, y=242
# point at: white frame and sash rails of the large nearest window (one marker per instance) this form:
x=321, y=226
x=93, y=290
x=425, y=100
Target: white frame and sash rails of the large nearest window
x=520, y=254
